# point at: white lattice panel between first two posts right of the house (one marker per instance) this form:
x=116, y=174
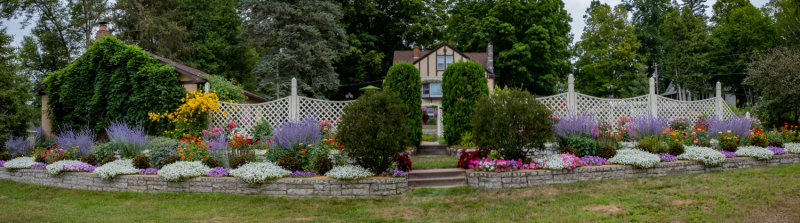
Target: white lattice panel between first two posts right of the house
x=610, y=110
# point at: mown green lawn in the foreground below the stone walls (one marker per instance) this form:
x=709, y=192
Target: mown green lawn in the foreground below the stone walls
x=765, y=194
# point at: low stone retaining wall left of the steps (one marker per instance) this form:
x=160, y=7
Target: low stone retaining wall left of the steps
x=293, y=187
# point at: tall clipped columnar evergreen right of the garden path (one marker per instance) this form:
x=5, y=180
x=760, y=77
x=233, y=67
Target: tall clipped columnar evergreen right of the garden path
x=463, y=83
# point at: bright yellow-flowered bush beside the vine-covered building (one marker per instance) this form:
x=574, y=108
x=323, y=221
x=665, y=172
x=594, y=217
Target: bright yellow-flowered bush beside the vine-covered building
x=191, y=117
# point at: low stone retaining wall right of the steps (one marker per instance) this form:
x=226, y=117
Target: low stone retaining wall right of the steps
x=529, y=178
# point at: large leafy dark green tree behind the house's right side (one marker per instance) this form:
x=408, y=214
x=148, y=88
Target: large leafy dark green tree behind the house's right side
x=530, y=39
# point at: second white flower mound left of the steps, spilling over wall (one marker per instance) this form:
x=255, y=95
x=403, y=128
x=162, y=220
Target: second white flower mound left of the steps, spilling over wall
x=259, y=172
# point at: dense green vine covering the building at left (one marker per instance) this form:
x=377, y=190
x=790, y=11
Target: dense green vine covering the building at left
x=97, y=87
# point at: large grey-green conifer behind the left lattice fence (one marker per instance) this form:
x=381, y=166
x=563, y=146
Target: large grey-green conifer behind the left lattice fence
x=299, y=39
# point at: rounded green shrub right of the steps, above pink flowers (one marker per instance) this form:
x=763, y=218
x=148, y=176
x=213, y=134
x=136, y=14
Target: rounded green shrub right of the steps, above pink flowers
x=511, y=121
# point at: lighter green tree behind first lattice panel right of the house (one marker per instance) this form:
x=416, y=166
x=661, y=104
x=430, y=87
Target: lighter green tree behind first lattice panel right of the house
x=607, y=59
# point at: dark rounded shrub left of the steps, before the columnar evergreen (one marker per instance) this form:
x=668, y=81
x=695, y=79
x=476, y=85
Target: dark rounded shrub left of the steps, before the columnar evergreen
x=374, y=129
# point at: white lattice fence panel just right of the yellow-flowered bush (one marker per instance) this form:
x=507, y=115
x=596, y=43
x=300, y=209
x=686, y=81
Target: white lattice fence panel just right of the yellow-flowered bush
x=249, y=115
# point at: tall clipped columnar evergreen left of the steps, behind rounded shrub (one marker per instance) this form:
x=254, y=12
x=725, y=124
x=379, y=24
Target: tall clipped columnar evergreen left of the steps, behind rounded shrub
x=403, y=80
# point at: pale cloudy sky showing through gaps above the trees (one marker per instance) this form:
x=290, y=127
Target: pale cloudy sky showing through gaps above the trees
x=576, y=9
